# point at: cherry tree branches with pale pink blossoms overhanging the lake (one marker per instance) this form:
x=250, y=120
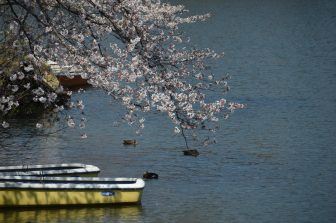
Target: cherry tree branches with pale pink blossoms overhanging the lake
x=133, y=49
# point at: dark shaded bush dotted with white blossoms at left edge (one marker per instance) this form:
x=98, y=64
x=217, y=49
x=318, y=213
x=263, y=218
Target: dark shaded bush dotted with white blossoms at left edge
x=24, y=90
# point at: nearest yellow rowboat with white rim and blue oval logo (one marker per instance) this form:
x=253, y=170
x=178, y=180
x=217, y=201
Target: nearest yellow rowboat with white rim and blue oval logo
x=55, y=191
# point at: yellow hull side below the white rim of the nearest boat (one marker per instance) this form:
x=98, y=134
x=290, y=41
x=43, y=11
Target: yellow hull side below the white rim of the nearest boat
x=33, y=197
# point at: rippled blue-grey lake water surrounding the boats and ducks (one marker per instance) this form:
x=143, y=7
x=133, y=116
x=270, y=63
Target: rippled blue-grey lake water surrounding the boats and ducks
x=274, y=161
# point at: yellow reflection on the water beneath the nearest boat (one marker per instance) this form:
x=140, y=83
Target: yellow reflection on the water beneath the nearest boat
x=73, y=214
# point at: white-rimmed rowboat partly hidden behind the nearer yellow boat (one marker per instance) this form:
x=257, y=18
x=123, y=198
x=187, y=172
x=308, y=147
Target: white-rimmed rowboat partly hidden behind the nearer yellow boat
x=65, y=169
